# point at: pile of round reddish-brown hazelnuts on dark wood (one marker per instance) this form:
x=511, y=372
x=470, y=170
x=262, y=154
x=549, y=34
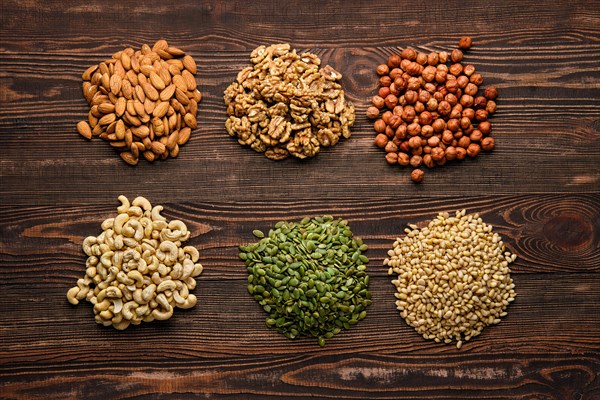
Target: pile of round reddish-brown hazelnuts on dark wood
x=428, y=111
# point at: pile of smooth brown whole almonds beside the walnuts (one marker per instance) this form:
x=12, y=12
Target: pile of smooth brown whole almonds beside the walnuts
x=144, y=102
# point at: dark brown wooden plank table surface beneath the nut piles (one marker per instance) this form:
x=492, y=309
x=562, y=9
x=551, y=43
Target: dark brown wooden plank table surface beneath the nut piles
x=539, y=188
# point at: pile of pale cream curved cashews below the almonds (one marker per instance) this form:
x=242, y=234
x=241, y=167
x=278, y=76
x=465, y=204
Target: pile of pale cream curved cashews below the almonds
x=137, y=270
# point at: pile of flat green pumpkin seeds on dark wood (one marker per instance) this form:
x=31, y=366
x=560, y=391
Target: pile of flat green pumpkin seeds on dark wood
x=309, y=276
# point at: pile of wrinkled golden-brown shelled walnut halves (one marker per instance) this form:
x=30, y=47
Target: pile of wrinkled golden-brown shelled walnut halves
x=284, y=104
